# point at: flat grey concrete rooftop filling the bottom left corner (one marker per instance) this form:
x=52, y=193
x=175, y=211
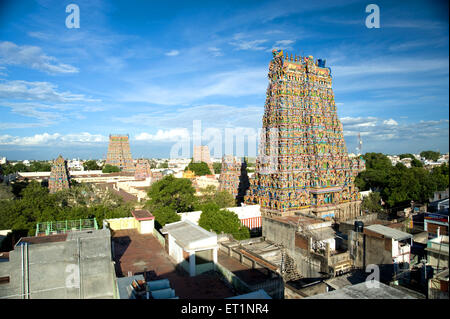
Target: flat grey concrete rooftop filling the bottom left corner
x=53, y=268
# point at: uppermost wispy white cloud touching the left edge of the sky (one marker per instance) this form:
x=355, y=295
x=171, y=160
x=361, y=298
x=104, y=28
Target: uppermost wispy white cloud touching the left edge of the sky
x=33, y=57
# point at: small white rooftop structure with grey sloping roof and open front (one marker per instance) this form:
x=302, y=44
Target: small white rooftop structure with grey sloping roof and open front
x=192, y=247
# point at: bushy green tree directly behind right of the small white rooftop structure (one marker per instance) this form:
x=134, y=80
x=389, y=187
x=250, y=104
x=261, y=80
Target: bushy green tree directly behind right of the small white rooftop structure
x=222, y=220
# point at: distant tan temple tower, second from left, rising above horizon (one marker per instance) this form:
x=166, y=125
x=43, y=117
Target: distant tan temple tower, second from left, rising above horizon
x=119, y=153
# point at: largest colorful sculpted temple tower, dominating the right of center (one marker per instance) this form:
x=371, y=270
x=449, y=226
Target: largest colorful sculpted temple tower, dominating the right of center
x=303, y=164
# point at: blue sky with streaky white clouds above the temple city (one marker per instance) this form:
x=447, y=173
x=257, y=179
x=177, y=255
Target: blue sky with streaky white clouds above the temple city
x=150, y=68
